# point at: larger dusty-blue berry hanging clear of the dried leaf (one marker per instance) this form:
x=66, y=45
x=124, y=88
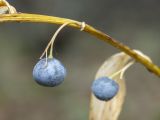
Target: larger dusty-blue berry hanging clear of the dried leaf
x=50, y=73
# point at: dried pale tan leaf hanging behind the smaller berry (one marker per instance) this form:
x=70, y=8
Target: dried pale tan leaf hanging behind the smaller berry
x=110, y=110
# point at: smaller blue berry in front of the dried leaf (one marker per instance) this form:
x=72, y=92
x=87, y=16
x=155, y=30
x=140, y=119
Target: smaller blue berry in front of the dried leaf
x=104, y=88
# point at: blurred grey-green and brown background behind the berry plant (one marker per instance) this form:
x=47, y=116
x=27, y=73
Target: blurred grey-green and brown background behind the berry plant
x=133, y=22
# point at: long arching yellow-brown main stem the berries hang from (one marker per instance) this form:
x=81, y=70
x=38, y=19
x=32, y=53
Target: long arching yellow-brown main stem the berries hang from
x=23, y=17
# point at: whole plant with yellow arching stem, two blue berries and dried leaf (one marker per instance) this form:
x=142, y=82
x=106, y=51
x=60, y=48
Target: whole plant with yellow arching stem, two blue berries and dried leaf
x=108, y=88
